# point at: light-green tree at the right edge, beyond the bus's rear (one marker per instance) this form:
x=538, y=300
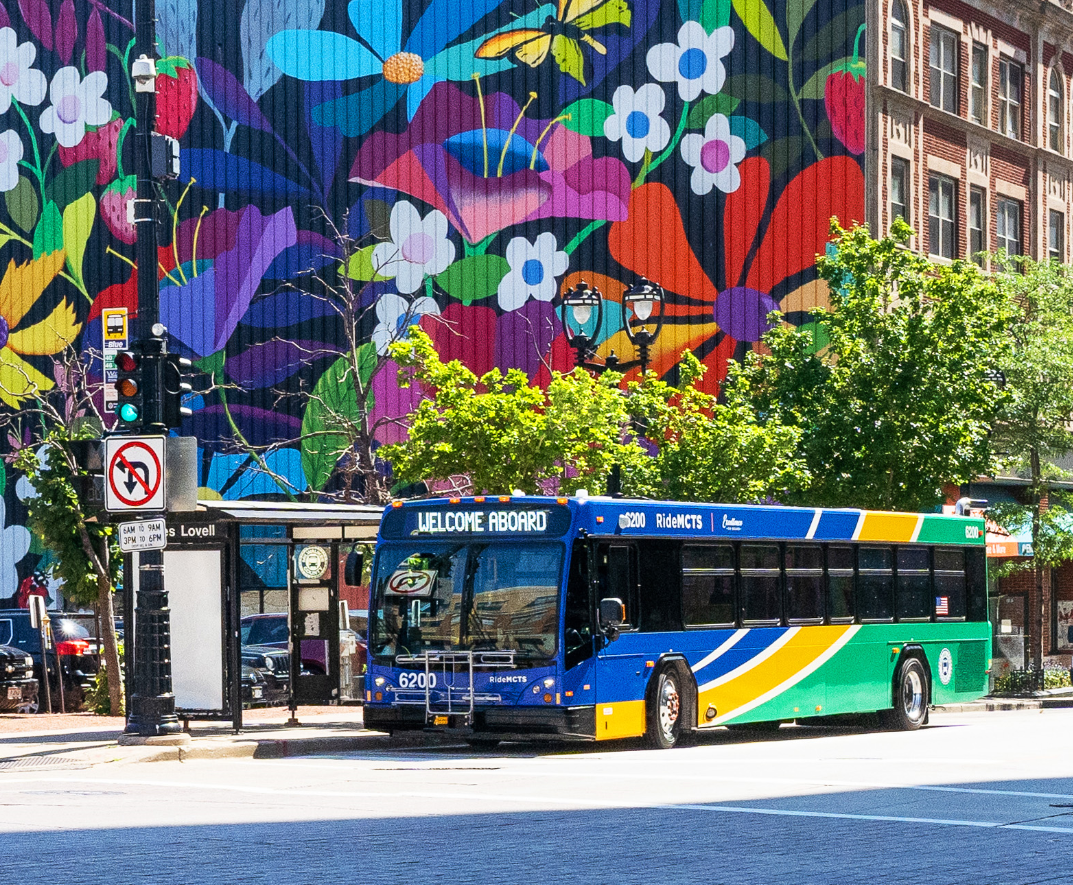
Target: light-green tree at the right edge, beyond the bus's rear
x=1035, y=430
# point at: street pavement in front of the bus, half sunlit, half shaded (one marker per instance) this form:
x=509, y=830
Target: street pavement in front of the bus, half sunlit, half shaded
x=981, y=799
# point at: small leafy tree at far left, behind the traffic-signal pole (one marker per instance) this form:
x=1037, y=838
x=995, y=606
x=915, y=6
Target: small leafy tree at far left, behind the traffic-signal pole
x=51, y=434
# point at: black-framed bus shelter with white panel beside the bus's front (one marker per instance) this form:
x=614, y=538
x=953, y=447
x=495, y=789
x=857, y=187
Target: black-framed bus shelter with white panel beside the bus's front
x=286, y=577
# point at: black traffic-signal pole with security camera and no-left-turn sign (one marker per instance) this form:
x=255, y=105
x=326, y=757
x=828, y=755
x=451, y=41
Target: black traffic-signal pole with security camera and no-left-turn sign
x=152, y=704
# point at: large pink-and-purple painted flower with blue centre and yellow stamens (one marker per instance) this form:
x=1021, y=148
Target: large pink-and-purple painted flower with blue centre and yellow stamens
x=487, y=172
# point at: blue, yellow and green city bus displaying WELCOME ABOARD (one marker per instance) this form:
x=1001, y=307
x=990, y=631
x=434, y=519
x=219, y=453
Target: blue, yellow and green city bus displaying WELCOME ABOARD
x=590, y=618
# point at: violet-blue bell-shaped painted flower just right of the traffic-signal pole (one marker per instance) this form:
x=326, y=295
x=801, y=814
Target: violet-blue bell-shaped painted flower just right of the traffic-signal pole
x=204, y=297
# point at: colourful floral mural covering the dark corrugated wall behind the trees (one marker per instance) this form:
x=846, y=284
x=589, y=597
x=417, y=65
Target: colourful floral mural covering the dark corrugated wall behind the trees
x=483, y=155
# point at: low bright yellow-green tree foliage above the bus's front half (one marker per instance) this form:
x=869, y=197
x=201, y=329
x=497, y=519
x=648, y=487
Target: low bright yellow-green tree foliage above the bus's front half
x=499, y=433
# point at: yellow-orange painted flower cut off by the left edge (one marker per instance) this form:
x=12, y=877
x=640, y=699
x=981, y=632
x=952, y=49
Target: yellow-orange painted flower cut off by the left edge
x=21, y=288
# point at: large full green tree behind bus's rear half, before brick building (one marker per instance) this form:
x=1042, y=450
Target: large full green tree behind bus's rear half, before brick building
x=894, y=388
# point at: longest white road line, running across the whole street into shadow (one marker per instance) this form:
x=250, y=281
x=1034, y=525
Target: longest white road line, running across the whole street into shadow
x=560, y=801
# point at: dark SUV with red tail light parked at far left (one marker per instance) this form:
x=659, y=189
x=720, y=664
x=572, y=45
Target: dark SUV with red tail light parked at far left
x=72, y=646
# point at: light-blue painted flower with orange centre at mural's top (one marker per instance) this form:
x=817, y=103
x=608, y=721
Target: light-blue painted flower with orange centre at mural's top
x=409, y=69
